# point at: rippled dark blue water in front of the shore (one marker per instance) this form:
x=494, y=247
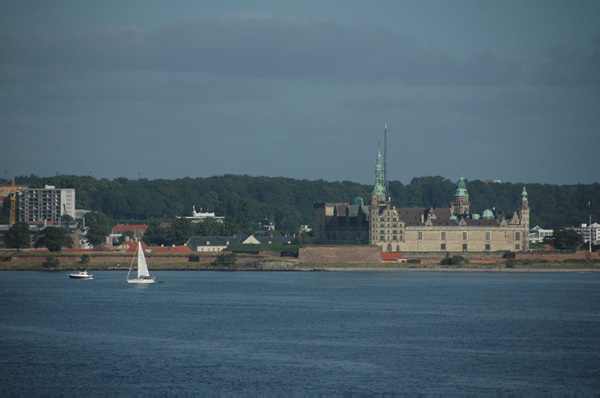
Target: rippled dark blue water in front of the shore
x=300, y=333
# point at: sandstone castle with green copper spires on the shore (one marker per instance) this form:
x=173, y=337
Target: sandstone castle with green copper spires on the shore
x=453, y=229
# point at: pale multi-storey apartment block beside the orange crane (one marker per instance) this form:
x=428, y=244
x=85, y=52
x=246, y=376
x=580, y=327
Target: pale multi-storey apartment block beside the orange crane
x=46, y=204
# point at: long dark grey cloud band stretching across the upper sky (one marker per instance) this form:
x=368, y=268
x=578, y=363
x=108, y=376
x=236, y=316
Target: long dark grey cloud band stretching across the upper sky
x=257, y=47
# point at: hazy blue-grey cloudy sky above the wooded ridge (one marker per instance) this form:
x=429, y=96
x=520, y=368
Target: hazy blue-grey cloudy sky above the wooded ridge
x=302, y=89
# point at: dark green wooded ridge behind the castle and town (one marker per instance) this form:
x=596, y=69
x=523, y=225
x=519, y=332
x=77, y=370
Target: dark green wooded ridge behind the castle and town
x=288, y=202
